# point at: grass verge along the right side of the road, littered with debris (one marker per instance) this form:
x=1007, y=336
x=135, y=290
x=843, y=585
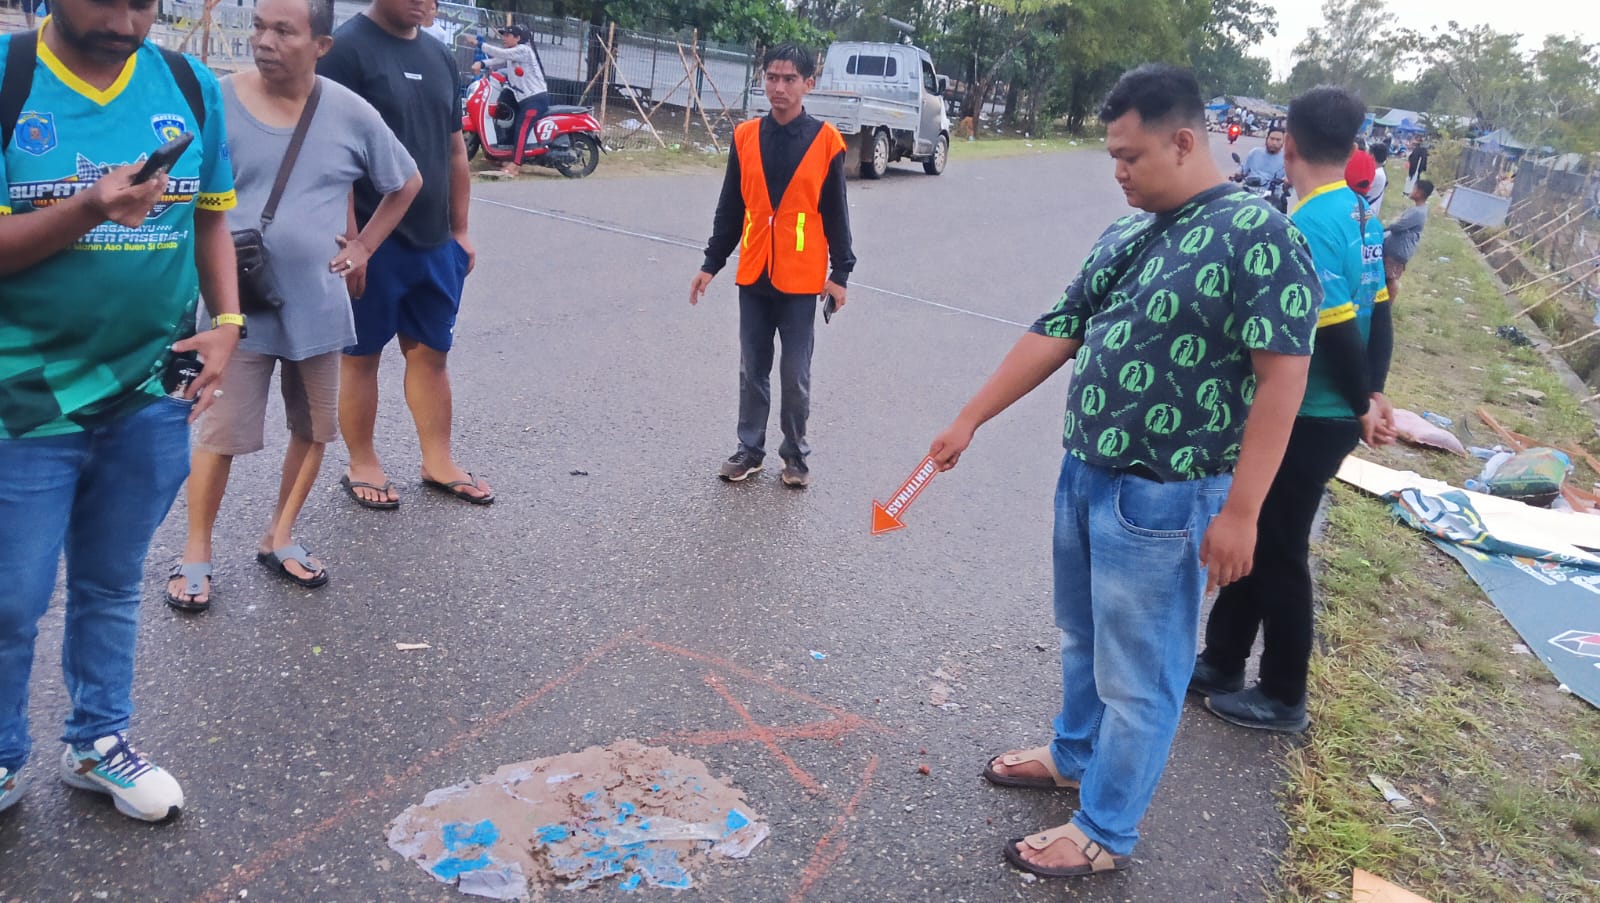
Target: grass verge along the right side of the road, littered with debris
x=1415, y=678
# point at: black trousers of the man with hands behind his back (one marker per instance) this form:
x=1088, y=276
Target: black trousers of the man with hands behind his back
x=1278, y=595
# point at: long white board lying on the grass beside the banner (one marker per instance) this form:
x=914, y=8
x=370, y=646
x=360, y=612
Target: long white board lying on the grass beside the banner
x=1562, y=532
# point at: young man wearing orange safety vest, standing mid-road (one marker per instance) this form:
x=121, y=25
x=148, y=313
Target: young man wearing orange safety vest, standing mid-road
x=783, y=207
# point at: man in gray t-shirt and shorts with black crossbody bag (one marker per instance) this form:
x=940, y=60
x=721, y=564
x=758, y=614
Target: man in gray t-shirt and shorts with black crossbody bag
x=311, y=259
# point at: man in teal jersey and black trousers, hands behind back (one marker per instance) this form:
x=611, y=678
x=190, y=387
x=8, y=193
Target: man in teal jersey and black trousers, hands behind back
x=1346, y=380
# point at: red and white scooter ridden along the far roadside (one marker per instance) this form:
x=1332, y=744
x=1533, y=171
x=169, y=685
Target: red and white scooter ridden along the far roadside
x=566, y=138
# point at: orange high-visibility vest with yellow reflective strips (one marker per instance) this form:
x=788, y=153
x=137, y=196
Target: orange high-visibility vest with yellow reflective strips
x=788, y=244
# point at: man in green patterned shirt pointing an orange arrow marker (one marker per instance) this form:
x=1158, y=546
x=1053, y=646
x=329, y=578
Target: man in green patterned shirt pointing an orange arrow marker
x=1191, y=329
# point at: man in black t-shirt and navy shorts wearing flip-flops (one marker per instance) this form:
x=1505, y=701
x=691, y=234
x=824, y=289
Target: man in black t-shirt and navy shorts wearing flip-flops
x=412, y=287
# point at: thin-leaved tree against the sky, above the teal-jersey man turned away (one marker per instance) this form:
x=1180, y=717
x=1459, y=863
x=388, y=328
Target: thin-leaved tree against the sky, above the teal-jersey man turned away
x=1356, y=47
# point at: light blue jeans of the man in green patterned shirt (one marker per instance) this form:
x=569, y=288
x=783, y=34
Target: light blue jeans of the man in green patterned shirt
x=1129, y=588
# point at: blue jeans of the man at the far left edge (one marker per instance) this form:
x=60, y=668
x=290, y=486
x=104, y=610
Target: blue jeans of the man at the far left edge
x=97, y=496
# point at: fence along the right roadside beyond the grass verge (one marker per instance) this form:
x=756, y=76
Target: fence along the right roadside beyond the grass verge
x=1553, y=225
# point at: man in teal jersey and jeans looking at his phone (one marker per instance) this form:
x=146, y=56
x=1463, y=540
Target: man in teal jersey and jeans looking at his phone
x=100, y=278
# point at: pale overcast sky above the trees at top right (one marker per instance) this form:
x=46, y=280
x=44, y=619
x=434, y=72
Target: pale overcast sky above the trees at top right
x=1532, y=18
